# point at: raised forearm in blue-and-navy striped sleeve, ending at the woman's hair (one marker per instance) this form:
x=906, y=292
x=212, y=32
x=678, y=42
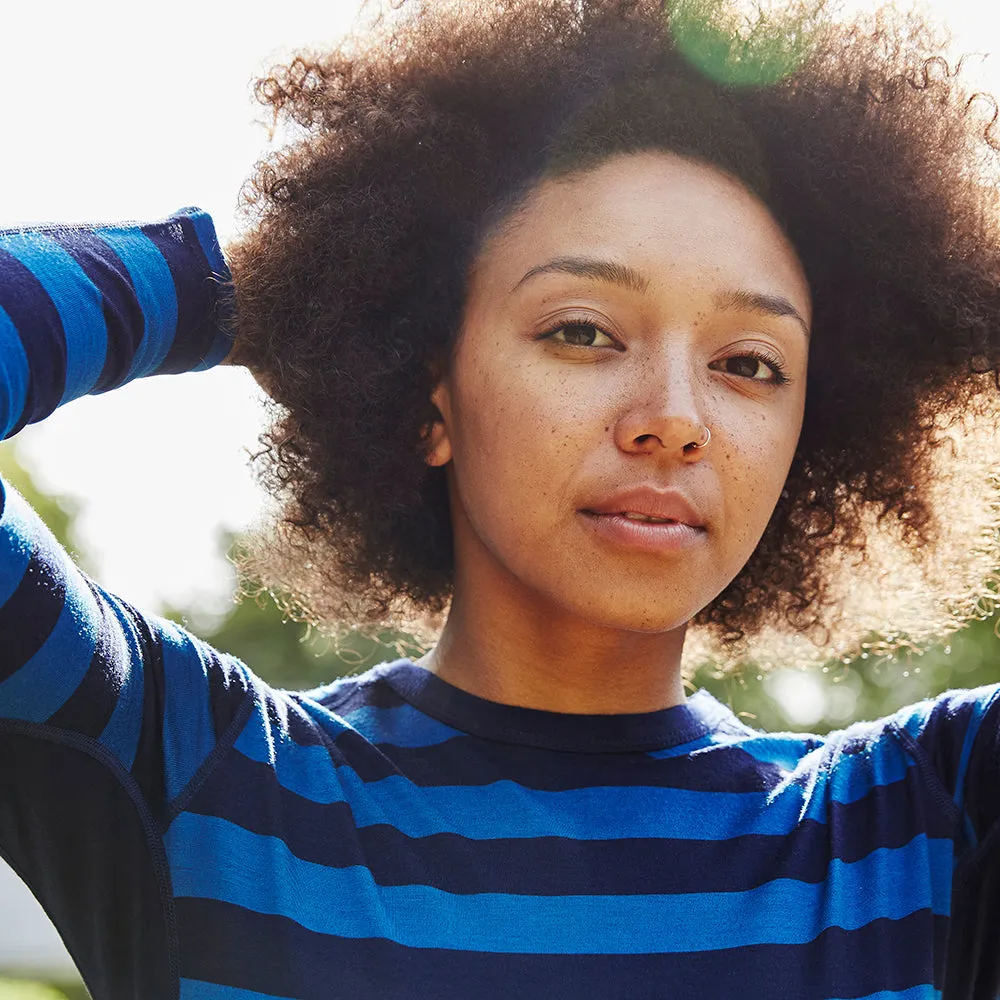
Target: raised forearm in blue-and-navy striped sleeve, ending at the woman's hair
x=85, y=309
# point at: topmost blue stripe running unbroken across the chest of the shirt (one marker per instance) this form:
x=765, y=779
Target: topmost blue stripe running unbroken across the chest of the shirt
x=506, y=809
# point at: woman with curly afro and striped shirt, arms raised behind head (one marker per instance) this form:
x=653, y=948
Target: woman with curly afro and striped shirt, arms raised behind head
x=588, y=333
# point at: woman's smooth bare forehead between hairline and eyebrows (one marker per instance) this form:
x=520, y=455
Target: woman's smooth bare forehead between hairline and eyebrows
x=672, y=218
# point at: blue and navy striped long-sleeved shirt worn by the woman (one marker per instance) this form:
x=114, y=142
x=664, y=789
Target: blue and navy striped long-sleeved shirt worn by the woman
x=196, y=834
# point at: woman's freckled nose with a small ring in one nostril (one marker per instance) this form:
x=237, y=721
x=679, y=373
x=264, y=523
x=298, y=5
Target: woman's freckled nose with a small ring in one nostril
x=664, y=411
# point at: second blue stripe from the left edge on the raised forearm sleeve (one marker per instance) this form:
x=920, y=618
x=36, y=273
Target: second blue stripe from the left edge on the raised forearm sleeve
x=77, y=300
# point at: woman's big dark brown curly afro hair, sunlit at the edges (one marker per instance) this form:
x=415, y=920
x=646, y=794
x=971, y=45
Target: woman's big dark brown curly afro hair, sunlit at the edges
x=415, y=138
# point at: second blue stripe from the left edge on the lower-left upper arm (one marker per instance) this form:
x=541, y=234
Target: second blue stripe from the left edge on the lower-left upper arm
x=43, y=685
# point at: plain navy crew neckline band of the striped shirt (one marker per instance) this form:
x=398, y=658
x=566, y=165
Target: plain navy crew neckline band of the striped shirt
x=700, y=715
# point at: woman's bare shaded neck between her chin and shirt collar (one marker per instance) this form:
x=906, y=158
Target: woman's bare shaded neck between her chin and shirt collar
x=521, y=652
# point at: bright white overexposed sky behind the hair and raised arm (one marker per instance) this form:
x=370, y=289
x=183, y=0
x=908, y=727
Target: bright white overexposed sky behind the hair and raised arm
x=118, y=110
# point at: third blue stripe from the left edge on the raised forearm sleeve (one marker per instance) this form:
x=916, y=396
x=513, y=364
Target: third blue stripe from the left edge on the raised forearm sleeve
x=155, y=292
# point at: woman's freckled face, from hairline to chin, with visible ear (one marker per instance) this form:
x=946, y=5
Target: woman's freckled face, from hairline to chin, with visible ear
x=616, y=315
